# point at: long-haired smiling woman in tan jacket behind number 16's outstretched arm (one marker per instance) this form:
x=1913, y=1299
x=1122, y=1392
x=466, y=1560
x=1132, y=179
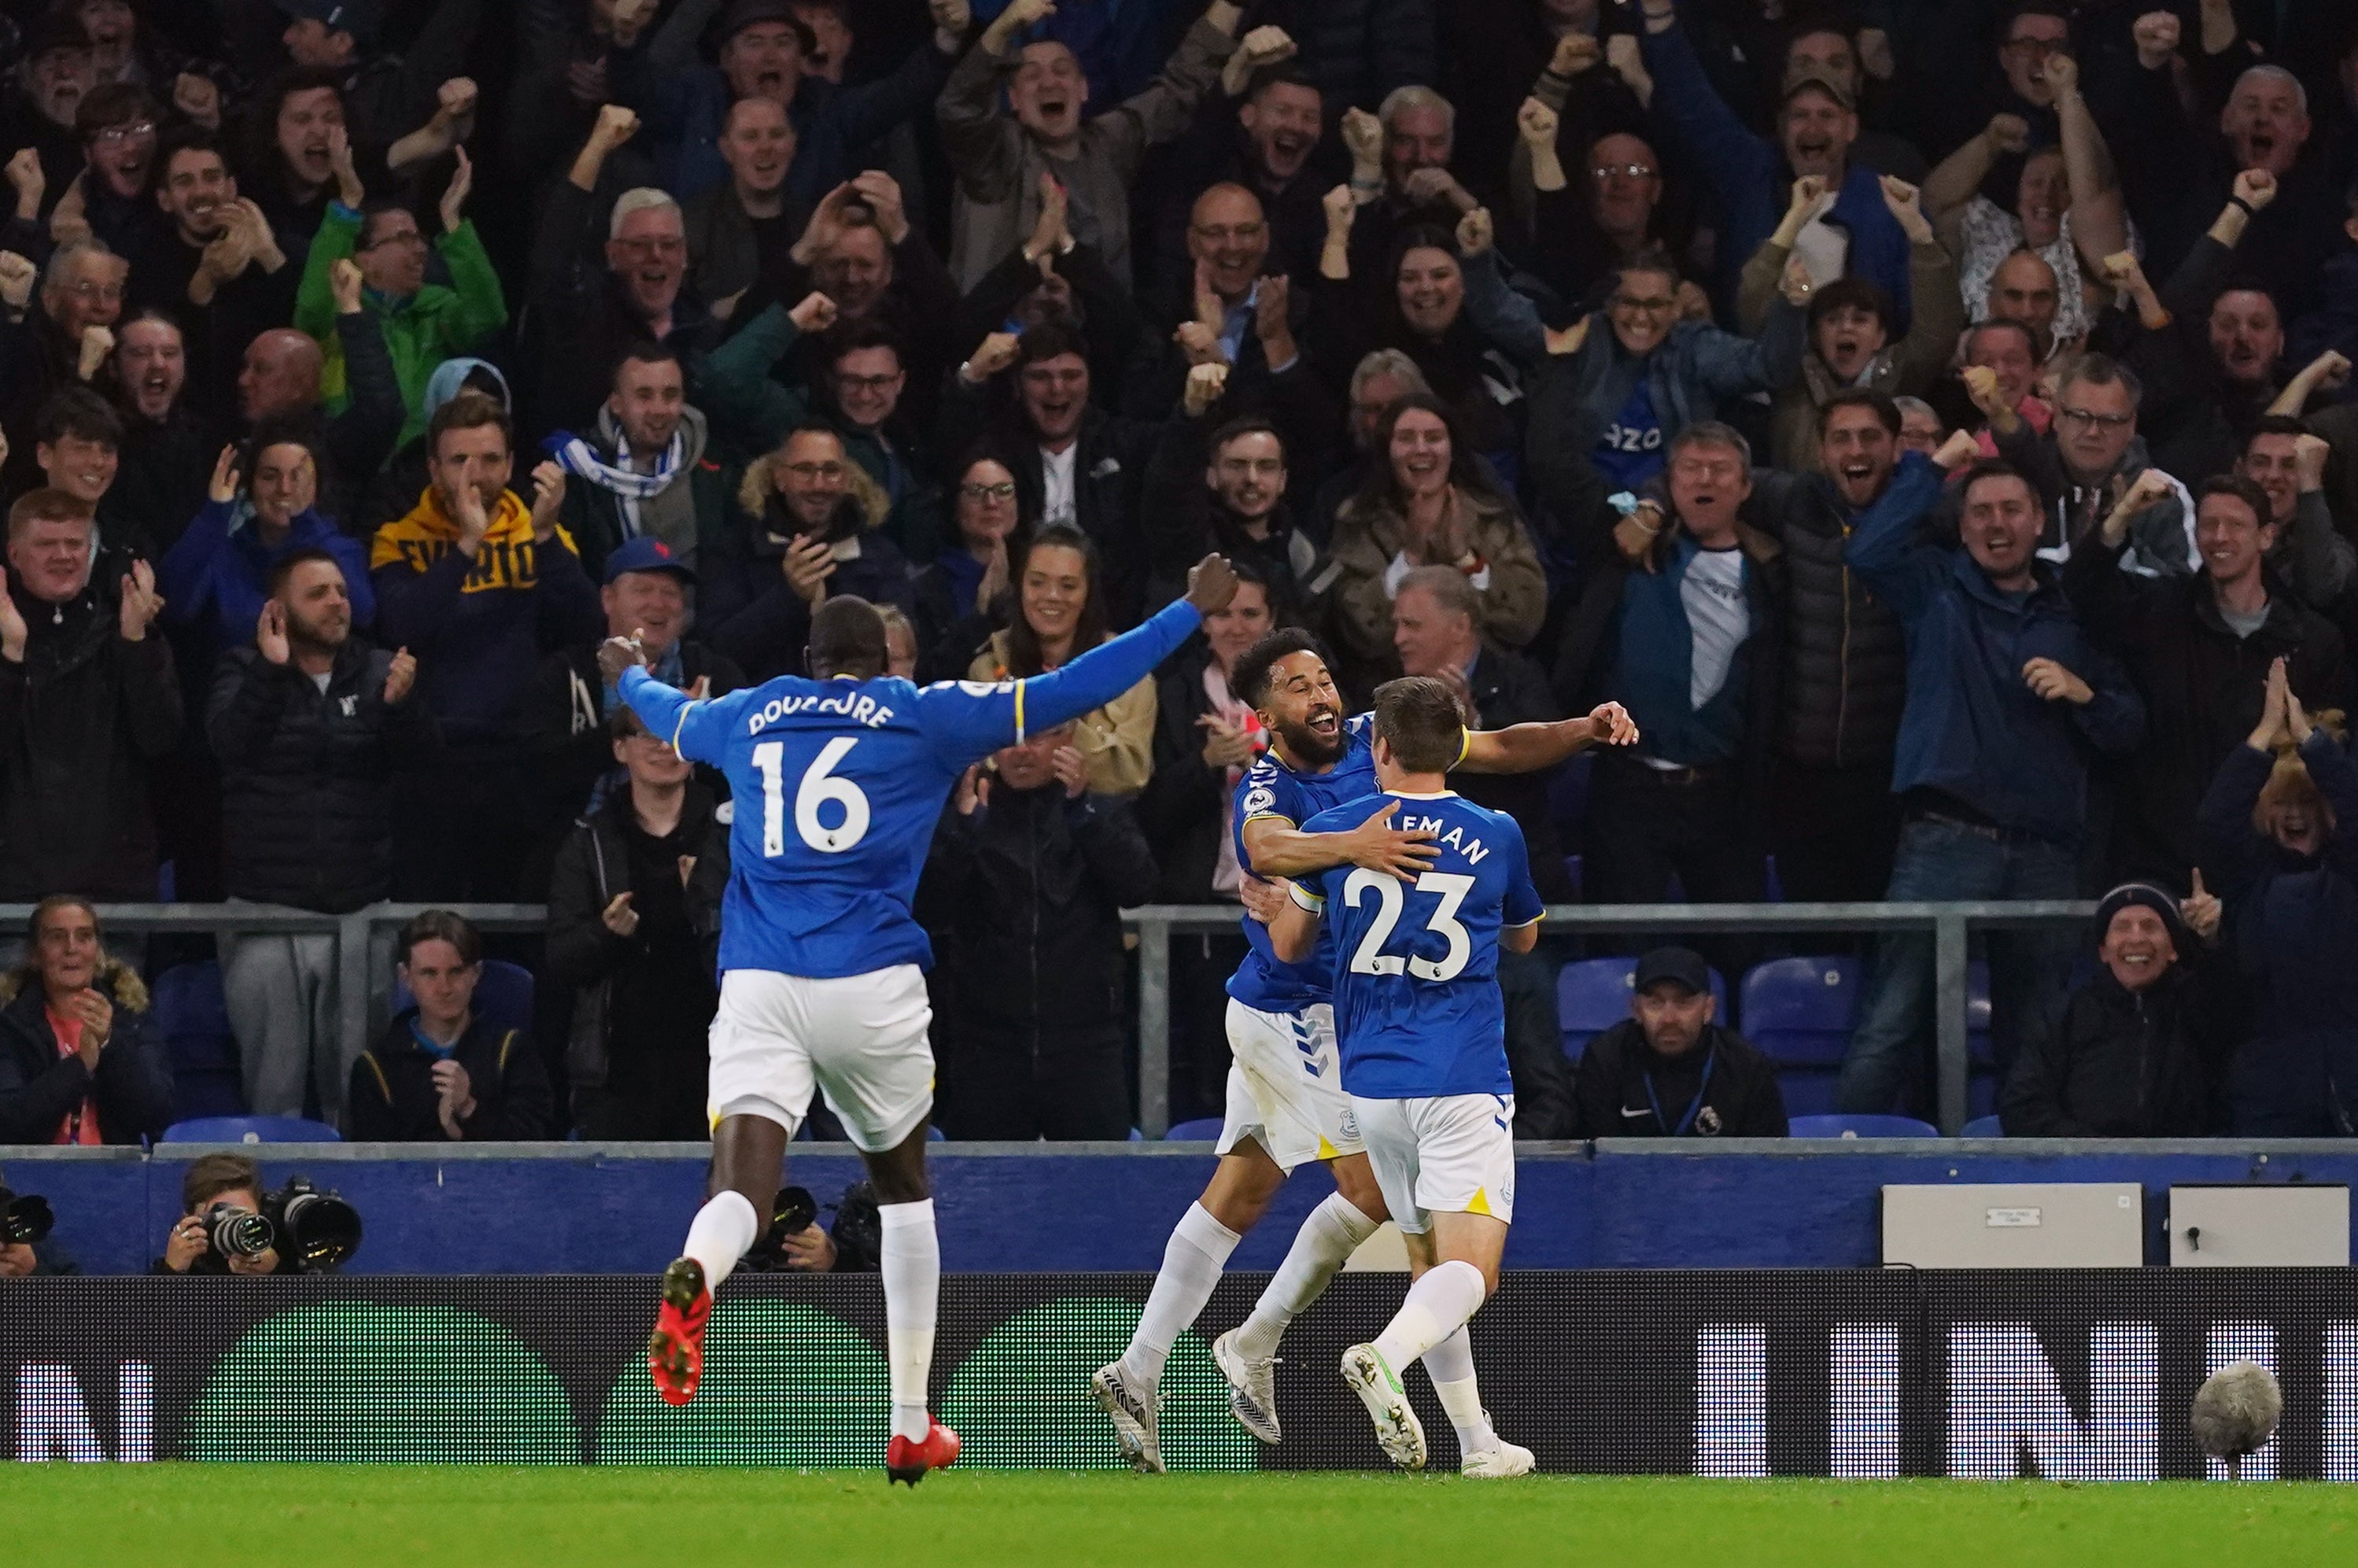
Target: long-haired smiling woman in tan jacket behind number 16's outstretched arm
x=1060, y=614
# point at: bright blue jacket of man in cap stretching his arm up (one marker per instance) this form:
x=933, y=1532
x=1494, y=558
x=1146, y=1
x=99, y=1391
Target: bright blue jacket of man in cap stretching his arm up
x=1751, y=178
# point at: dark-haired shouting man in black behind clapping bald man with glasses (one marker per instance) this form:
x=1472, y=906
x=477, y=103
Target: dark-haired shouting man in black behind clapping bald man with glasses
x=1265, y=147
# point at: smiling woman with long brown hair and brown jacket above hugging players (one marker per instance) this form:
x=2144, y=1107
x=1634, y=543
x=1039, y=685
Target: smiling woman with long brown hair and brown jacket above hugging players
x=1428, y=503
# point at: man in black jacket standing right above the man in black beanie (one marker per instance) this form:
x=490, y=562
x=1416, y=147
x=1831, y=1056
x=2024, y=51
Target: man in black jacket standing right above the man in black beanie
x=2201, y=652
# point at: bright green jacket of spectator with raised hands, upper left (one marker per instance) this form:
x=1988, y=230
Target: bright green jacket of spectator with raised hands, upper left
x=423, y=331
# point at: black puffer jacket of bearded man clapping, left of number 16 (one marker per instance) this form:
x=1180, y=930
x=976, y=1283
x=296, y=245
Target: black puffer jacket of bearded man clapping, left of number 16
x=308, y=777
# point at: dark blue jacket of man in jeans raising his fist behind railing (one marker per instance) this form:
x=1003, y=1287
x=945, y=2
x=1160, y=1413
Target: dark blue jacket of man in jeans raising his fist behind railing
x=1972, y=727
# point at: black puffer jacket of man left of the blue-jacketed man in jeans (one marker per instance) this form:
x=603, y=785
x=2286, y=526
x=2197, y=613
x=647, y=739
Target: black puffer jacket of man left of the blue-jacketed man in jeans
x=1845, y=652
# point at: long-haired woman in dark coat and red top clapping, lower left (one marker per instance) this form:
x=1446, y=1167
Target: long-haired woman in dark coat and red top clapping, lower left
x=81, y=1060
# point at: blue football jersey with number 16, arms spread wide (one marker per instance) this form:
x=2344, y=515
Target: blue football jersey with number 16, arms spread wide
x=838, y=789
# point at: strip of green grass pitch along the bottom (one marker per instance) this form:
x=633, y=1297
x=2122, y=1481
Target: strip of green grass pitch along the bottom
x=454, y=1517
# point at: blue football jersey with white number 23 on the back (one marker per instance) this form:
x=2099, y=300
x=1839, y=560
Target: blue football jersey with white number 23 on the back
x=1416, y=968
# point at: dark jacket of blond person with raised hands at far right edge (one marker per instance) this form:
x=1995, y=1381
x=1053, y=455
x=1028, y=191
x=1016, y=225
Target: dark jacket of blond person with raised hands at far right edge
x=2293, y=925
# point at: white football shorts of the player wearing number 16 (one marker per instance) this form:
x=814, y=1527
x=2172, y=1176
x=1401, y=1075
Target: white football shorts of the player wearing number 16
x=859, y=1039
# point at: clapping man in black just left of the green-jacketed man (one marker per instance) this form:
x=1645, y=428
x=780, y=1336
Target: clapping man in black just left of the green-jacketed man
x=213, y=263
